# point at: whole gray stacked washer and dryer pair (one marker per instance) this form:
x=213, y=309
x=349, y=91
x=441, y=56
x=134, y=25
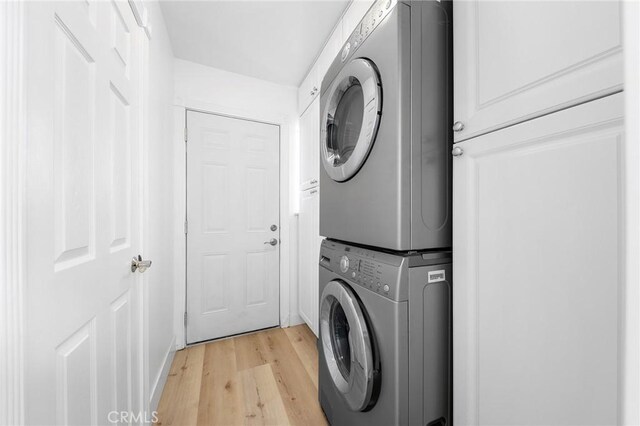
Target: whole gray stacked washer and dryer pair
x=385, y=208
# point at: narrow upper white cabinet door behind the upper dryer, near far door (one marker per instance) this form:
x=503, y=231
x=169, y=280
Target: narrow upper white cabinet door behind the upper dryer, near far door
x=310, y=146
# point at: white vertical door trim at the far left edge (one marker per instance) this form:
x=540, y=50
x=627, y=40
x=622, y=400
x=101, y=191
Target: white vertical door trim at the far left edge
x=13, y=138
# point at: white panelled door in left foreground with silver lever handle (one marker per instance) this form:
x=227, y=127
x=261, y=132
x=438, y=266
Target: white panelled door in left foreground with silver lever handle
x=83, y=351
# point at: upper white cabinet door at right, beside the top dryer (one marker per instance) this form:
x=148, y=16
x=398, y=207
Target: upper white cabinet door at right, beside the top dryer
x=514, y=61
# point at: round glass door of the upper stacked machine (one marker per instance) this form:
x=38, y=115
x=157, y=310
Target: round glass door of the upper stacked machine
x=350, y=119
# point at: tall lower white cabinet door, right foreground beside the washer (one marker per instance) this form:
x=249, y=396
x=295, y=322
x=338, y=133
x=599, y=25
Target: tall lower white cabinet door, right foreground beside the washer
x=538, y=280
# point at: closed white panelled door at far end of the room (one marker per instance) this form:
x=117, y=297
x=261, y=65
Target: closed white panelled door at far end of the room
x=233, y=231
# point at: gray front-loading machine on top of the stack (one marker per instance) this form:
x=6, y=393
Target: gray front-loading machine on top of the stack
x=385, y=130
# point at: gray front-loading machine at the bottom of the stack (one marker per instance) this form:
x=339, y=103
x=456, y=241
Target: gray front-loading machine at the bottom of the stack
x=385, y=336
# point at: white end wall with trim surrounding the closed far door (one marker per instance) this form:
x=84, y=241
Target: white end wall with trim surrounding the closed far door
x=208, y=89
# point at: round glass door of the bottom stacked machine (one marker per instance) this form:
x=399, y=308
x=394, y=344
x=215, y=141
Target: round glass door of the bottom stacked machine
x=347, y=346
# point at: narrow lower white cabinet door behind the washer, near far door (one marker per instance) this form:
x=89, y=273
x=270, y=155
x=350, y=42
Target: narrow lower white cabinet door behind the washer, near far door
x=309, y=251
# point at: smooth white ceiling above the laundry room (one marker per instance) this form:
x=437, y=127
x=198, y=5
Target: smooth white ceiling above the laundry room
x=272, y=40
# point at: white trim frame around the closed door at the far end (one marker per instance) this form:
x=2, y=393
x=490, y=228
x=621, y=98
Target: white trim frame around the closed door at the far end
x=181, y=107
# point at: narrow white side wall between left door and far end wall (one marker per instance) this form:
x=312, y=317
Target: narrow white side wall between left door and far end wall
x=158, y=238
